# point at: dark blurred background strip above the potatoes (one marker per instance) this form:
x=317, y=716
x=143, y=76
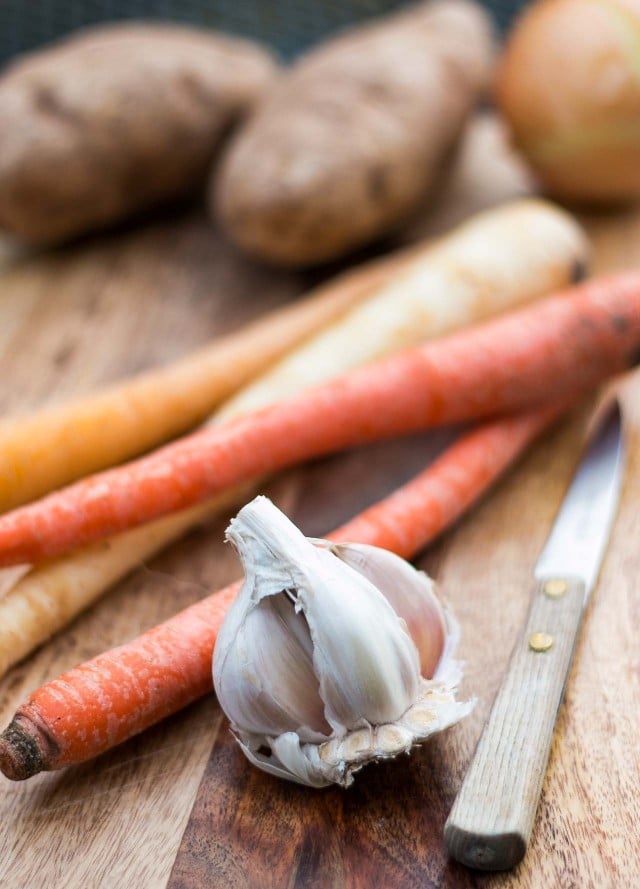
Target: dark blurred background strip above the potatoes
x=289, y=26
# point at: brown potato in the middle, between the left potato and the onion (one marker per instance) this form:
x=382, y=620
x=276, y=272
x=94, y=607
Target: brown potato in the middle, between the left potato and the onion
x=348, y=142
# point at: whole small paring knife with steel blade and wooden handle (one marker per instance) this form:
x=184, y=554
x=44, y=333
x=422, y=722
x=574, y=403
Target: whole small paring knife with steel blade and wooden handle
x=490, y=824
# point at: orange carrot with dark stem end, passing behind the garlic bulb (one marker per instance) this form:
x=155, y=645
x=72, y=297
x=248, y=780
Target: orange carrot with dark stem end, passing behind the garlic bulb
x=103, y=702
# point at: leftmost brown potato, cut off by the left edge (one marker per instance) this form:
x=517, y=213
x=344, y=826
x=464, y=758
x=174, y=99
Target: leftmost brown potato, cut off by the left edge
x=115, y=120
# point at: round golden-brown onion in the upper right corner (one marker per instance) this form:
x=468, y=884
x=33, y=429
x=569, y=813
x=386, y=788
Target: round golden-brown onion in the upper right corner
x=568, y=87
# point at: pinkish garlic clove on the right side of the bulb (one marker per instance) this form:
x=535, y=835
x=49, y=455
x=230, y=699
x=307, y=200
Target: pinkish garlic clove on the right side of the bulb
x=410, y=593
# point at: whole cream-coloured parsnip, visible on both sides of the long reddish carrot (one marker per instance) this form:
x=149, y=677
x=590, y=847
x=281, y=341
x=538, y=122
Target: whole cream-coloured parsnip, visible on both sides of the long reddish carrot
x=501, y=258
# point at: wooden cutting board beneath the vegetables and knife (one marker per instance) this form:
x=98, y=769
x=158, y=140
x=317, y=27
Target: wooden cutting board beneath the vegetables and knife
x=75, y=318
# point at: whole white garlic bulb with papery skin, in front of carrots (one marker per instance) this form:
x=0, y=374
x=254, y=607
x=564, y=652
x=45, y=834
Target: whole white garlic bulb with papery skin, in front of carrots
x=332, y=655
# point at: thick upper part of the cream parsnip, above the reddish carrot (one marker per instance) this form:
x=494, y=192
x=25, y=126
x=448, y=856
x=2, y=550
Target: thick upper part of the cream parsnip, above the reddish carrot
x=500, y=259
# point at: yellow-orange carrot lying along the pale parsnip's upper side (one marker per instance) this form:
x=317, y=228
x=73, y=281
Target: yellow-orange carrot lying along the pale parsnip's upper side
x=50, y=448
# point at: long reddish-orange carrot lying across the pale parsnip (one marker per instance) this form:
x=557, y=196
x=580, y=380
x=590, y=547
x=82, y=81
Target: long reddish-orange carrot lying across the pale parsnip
x=563, y=345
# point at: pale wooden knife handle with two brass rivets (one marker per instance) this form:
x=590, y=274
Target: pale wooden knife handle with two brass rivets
x=491, y=821
